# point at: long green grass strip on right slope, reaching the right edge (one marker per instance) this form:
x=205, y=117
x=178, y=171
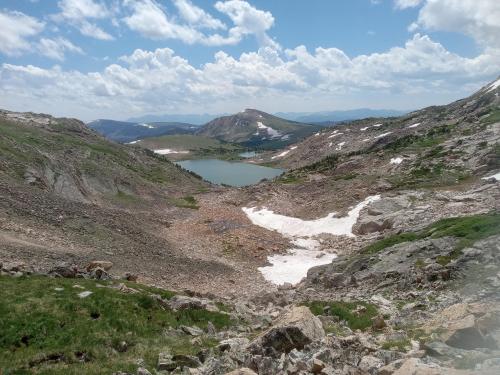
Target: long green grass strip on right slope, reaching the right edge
x=467, y=230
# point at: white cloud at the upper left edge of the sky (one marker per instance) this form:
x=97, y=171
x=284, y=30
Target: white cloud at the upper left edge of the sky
x=15, y=30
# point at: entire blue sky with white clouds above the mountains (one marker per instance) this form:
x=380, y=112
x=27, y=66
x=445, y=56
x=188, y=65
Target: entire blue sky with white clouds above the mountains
x=117, y=59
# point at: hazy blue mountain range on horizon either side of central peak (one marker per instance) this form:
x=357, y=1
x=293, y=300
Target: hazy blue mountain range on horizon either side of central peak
x=314, y=117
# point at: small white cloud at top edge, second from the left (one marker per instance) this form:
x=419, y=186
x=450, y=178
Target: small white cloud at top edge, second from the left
x=77, y=13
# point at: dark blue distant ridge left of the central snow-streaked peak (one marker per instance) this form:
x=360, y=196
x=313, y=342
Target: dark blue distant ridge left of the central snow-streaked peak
x=125, y=132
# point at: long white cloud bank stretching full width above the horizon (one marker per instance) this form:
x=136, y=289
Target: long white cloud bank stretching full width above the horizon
x=160, y=80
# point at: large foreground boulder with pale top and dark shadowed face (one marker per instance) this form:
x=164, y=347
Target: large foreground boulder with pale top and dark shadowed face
x=294, y=330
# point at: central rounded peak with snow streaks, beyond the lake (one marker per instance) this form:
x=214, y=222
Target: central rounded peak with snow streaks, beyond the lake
x=253, y=128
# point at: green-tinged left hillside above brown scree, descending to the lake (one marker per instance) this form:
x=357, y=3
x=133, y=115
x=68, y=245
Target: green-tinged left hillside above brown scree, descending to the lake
x=68, y=147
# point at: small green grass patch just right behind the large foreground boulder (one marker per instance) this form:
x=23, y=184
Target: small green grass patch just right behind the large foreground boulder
x=346, y=311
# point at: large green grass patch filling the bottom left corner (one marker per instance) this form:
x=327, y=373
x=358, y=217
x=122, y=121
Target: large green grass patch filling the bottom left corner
x=38, y=323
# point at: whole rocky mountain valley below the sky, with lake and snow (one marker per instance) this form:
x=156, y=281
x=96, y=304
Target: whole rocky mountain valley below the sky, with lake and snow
x=372, y=249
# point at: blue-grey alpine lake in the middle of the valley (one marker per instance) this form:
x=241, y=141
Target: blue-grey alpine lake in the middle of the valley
x=229, y=173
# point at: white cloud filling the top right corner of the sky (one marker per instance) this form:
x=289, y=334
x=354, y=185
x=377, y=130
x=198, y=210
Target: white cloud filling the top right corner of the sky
x=477, y=19
